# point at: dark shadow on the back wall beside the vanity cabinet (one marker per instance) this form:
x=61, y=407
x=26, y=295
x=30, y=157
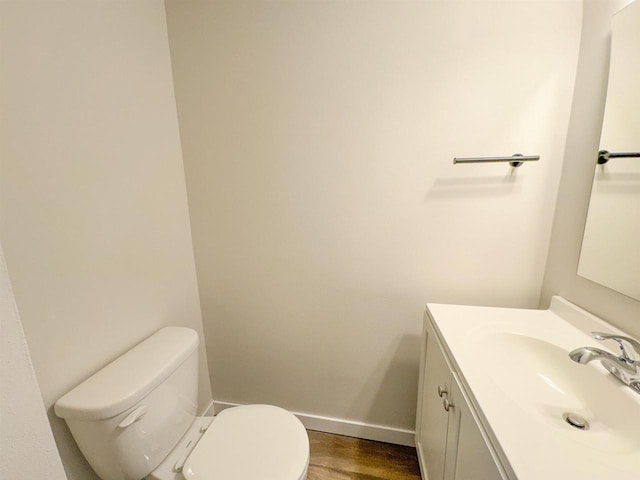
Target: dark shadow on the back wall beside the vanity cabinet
x=391, y=398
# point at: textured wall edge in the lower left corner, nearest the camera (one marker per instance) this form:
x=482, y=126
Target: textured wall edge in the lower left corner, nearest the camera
x=27, y=449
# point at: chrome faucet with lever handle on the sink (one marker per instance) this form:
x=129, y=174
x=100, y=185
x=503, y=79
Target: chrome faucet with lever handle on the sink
x=624, y=368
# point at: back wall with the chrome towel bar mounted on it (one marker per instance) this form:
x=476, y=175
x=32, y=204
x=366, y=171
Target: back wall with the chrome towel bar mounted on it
x=318, y=140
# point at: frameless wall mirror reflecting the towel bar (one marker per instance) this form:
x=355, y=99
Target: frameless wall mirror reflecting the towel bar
x=610, y=252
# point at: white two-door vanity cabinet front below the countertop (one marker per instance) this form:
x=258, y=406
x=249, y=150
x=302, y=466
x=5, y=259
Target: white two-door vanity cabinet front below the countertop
x=449, y=439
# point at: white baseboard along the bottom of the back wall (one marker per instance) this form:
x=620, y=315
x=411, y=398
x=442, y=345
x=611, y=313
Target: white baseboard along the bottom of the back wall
x=341, y=426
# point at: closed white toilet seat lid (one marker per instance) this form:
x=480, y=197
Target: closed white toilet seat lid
x=251, y=442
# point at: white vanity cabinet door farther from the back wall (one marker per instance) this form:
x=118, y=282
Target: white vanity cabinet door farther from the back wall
x=468, y=456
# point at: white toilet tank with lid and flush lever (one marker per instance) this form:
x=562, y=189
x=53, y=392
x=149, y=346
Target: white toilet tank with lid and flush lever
x=127, y=417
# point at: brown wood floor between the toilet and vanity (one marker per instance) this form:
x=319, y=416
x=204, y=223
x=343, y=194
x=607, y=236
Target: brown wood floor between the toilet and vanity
x=335, y=457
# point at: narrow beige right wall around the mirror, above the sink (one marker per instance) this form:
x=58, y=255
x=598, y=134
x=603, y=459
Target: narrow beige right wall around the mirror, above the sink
x=577, y=173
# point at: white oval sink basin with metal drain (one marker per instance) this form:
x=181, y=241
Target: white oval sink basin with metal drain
x=545, y=383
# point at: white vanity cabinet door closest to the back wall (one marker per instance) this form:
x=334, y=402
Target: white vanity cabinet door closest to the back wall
x=432, y=438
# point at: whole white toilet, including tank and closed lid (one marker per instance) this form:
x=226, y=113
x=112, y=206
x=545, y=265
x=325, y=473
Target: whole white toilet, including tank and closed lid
x=136, y=419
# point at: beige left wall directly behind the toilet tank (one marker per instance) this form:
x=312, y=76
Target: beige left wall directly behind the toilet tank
x=94, y=219
